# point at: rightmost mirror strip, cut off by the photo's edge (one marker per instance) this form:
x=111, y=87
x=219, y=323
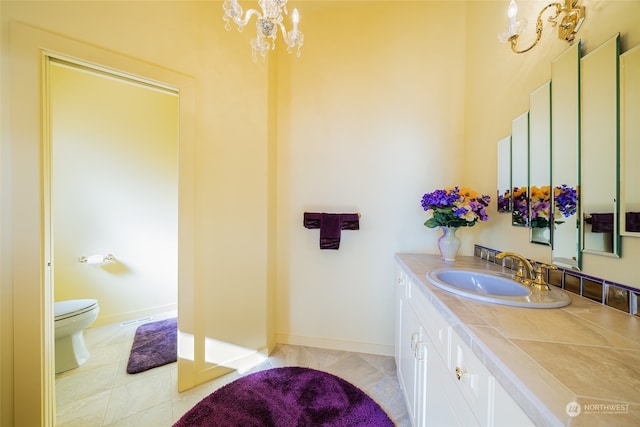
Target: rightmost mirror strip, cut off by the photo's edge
x=630, y=142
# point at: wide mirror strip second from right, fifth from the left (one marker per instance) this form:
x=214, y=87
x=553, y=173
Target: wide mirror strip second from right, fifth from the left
x=599, y=149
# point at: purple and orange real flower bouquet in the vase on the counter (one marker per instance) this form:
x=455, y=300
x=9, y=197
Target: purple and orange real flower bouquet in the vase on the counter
x=455, y=207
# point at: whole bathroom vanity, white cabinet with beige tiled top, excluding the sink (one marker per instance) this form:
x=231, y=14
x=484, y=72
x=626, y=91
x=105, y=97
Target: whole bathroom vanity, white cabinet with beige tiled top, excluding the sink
x=470, y=363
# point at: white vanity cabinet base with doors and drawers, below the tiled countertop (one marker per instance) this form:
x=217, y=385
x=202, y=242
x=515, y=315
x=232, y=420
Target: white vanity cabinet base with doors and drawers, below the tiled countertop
x=443, y=382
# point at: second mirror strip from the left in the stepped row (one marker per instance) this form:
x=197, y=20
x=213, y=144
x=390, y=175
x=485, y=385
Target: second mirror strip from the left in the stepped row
x=520, y=170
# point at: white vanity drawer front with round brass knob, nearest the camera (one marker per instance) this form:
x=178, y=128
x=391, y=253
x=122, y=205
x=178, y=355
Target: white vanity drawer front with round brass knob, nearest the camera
x=473, y=379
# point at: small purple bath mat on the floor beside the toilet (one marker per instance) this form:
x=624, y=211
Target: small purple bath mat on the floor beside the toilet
x=155, y=344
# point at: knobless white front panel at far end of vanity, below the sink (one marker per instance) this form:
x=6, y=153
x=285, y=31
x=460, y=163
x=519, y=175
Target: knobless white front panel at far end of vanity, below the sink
x=436, y=327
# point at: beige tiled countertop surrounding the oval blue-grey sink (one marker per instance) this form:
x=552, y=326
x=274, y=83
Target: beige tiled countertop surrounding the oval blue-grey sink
x=546, y=359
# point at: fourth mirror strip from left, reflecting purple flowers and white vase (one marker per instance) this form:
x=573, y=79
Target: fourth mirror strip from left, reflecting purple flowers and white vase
x=565, y=108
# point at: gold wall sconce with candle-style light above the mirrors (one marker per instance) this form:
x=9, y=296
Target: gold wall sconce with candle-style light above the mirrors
x=567, y=29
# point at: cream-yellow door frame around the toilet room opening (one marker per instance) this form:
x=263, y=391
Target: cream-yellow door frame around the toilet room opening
x=30, y=261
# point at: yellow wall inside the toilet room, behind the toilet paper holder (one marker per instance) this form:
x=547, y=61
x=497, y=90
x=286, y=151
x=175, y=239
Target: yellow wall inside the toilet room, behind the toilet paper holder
x=114, y=191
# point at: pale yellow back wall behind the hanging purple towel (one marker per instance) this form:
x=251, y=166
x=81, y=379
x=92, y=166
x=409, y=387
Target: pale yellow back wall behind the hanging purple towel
x=370, y=118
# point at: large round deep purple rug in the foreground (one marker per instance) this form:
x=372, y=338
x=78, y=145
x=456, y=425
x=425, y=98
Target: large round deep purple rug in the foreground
x=284, y=397
